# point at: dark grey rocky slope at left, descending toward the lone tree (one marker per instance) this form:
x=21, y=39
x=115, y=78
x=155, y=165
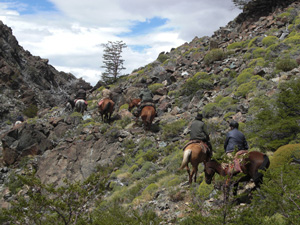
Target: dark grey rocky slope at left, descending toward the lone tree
x=28, y=80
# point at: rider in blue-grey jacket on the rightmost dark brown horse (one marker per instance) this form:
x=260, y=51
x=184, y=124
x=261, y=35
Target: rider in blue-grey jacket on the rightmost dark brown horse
x=235, y=138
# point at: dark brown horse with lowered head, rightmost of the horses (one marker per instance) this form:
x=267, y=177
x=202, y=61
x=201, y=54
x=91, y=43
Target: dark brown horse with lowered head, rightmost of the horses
x=251, y=163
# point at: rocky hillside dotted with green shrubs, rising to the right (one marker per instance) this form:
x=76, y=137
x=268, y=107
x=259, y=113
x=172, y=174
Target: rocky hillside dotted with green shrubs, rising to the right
x=247, y=71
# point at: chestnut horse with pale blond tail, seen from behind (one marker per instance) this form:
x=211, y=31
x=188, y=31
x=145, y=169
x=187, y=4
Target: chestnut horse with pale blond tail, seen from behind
x=194, y=153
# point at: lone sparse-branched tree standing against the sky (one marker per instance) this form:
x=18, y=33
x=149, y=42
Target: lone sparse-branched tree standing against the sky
x=113, y=63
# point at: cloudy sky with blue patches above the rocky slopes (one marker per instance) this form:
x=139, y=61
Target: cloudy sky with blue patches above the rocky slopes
x=70, y=32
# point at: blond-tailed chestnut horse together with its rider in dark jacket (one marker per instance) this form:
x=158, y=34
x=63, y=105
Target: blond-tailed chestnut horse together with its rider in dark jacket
x=198, y=149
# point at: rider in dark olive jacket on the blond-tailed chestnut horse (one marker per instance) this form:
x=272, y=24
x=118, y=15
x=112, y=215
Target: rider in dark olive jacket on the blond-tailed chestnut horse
x=198, y=131
